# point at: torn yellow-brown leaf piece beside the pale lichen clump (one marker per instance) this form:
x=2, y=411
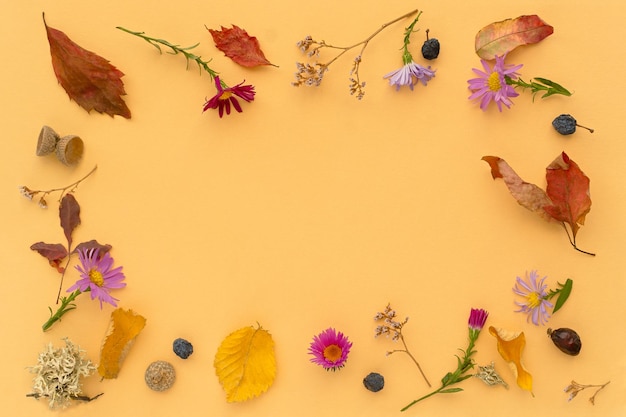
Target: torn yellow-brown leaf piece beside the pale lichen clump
x=124, y=327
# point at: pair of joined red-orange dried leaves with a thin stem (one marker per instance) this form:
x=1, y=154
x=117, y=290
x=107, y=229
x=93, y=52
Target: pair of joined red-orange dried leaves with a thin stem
x=566, y=199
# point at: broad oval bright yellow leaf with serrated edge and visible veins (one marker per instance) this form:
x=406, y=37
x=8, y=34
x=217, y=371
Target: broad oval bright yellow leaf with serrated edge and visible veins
x=245, y=363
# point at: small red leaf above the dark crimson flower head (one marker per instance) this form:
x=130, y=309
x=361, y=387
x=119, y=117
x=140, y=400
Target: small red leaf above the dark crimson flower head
x=239, y=46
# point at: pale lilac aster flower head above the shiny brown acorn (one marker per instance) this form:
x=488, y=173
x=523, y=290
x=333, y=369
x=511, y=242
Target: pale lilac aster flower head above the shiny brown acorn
x=534, y=294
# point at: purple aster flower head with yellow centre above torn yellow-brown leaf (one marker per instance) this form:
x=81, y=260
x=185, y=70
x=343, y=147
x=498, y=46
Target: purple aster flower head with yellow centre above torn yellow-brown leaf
x=98, y=275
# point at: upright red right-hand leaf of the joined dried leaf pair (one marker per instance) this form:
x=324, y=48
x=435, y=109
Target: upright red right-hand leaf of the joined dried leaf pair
x=568, y=188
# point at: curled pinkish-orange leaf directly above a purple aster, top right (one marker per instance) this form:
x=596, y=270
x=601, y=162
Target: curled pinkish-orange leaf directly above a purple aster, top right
x=498, y=38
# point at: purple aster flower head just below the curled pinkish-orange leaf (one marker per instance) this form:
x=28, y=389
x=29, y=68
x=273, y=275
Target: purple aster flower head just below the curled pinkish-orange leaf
x=491, y=83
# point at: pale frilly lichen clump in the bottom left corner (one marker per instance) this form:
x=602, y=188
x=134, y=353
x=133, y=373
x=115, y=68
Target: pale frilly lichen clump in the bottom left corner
x=59, y=372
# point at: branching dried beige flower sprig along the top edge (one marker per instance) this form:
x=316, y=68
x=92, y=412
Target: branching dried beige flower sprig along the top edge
x=312, y=74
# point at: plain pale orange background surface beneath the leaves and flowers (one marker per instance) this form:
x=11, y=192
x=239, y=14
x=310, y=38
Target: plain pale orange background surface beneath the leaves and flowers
x=311, y=209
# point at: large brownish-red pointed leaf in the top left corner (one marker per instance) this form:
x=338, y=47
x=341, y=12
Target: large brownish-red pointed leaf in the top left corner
x=88, y=79
